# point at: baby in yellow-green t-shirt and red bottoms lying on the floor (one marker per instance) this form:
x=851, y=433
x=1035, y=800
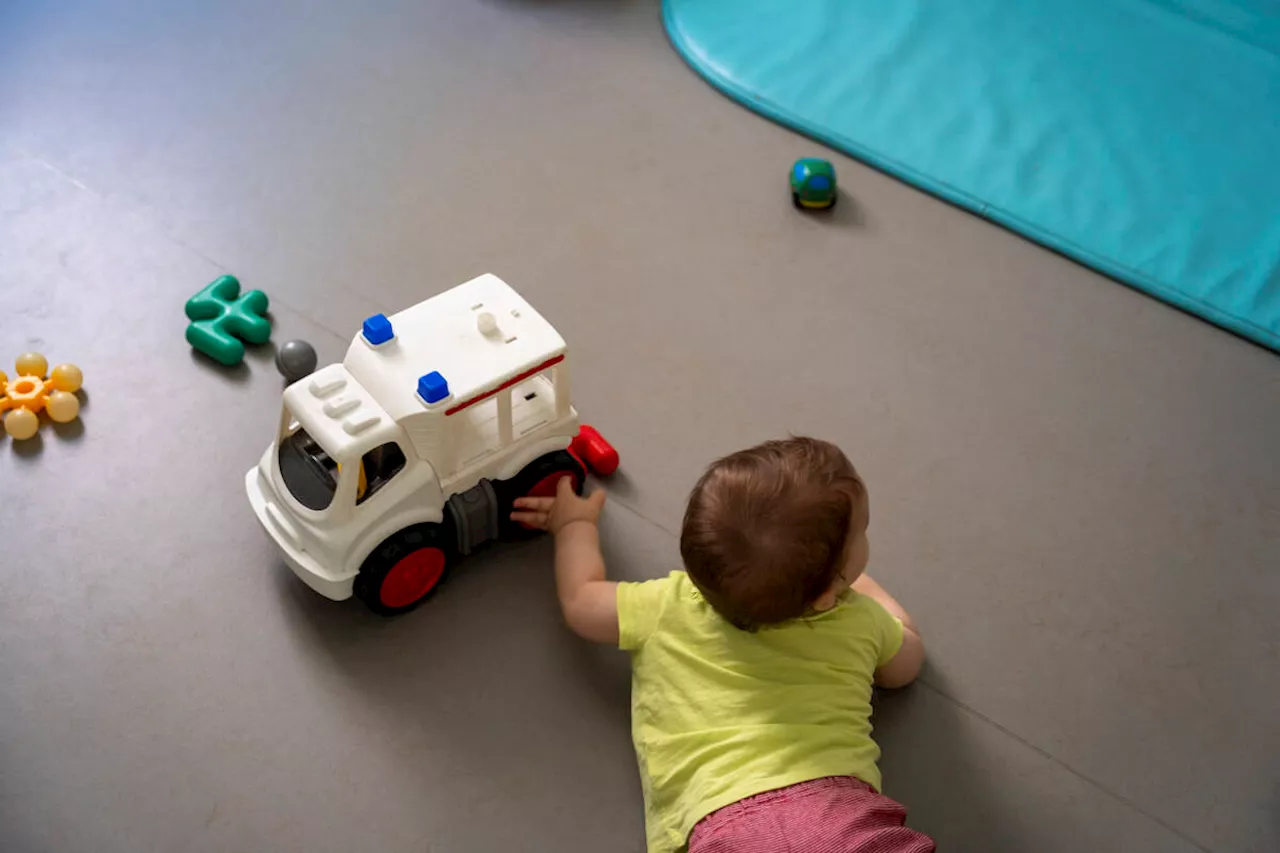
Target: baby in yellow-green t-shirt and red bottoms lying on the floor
x=753, y=669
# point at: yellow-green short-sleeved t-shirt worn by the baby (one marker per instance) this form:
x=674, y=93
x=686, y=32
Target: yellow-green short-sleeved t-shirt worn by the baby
x=719, y=714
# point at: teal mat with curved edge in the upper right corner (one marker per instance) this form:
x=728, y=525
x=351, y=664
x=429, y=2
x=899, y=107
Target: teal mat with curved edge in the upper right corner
x=1141, y=138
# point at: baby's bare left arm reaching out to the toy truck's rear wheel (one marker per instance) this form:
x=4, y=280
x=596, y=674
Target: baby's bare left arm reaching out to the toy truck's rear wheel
x=589, y=603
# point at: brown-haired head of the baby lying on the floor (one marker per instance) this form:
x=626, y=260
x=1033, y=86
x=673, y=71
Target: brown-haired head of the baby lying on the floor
x=776, y=532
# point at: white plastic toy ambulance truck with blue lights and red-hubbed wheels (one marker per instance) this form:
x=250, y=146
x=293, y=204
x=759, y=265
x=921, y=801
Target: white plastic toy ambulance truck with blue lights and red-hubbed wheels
x=390, y=468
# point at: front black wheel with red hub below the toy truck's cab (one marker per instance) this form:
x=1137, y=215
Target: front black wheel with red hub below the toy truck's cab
x=406, y=569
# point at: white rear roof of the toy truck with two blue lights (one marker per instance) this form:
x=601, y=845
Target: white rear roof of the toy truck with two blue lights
x=452, y=349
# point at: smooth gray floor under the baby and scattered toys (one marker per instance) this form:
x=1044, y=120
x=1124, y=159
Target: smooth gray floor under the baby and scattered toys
x=1076, y=489
